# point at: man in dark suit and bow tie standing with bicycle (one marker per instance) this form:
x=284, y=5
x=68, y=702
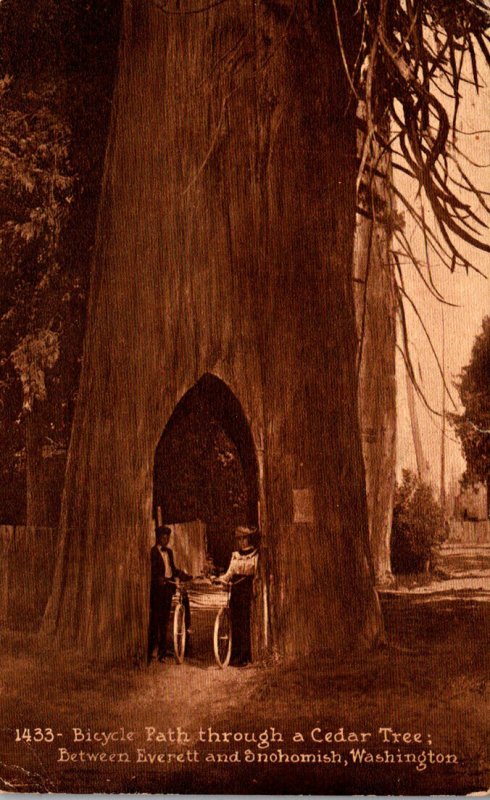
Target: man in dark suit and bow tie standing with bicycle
x=162, y=588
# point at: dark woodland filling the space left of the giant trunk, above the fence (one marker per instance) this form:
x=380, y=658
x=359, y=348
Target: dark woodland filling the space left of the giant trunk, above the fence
x=57, y=61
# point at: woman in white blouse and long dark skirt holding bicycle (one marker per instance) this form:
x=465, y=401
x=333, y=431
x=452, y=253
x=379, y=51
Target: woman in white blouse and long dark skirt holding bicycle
x=240, y=574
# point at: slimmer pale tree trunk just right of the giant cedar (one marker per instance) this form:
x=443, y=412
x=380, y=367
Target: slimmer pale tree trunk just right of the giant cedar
x=376, y=323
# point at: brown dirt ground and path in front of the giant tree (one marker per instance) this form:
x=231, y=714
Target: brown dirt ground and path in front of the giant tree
x=432, y=678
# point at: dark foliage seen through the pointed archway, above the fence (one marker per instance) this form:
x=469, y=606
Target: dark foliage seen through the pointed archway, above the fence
x=206, y=466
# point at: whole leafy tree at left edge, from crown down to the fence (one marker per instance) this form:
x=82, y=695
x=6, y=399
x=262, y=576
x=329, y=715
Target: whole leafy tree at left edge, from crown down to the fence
x=37, y=187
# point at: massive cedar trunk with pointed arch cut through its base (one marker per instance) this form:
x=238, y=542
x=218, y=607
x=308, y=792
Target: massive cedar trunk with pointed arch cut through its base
x=224, y=246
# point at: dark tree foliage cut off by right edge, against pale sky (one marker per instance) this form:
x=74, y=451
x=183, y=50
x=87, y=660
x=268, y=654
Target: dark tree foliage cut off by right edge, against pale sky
x=473, y=425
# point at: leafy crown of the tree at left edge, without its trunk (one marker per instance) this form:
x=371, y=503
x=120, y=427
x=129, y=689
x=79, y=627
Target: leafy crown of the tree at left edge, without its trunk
x=37, y=191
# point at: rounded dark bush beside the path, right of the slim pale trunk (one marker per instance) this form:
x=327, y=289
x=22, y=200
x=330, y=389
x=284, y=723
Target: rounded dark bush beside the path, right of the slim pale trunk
x=418, y=525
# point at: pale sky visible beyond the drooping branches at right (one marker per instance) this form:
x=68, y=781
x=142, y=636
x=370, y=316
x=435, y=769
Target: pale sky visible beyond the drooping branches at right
x=471, y=294
